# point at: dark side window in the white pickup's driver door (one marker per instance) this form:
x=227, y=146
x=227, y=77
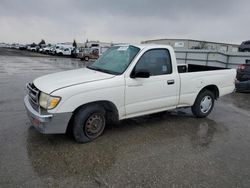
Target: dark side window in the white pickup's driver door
x=156, y=61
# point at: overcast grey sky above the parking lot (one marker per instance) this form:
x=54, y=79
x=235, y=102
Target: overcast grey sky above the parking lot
x=27, y=21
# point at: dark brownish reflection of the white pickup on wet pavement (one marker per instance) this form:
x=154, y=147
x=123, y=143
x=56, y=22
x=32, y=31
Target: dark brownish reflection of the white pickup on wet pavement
x=59, y=156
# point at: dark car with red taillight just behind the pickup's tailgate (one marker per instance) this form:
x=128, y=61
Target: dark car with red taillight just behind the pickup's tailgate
x=243, y=77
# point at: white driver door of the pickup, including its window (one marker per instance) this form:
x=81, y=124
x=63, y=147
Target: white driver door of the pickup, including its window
x=156, y=93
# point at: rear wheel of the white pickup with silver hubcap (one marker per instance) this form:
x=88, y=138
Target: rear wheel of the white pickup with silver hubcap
x=204, y=104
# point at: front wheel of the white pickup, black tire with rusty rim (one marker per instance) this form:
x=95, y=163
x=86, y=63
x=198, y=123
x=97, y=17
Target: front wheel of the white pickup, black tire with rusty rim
x=89, y=123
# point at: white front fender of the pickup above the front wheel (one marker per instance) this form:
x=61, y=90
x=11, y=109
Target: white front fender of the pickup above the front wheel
x=75, y=96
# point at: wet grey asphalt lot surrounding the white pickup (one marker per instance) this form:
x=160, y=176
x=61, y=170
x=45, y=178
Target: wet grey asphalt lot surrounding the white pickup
x=169, y=149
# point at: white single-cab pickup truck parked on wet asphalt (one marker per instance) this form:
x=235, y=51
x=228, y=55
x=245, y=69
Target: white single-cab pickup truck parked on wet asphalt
x=125, y=82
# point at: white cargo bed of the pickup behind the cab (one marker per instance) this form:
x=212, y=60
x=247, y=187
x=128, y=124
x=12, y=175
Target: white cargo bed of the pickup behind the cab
x=195, y=77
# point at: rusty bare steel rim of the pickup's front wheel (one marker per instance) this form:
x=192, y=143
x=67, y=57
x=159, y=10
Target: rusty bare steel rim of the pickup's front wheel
x=94, y=125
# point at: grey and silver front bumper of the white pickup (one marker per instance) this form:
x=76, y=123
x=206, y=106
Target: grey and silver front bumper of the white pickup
x=47, y=123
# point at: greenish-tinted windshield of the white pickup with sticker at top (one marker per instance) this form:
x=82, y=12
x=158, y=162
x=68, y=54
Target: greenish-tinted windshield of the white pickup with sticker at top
x=115, y=60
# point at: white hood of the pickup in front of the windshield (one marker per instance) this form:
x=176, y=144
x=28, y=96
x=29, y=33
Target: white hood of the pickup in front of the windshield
x=52, y=82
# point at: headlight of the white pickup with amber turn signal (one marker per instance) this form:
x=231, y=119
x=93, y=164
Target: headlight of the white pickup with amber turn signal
x=48, y=102
